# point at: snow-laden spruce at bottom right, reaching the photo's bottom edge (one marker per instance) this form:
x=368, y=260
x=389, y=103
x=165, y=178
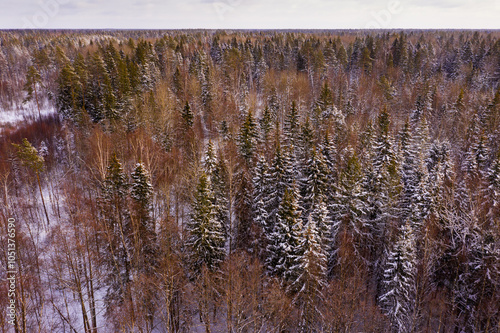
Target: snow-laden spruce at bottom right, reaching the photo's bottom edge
x=398, y=298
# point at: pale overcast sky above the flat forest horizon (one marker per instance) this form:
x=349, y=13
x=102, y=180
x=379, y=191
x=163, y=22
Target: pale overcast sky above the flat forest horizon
x=249, y=14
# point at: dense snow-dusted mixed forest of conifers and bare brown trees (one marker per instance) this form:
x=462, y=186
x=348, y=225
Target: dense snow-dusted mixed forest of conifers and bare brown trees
x=252, y=181
